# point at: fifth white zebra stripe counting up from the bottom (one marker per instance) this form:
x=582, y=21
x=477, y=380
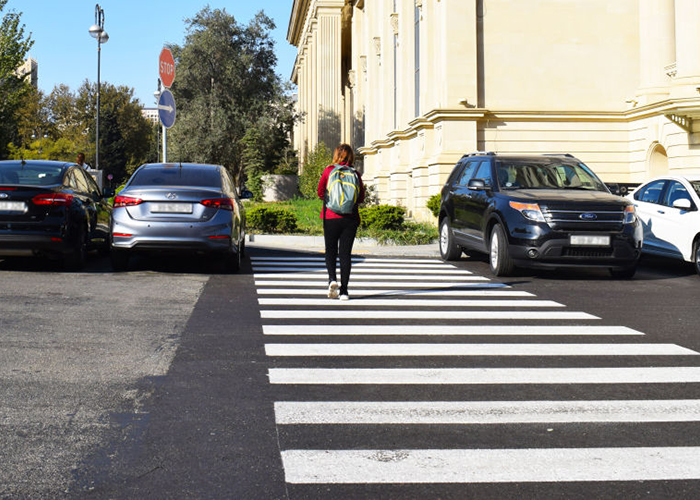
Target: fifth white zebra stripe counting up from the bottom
x=439, y=330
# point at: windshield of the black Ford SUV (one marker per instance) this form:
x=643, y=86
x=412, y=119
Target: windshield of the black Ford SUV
x=546, y=174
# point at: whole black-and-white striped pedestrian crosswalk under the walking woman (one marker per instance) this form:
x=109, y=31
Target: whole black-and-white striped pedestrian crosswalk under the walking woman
x=408, y=352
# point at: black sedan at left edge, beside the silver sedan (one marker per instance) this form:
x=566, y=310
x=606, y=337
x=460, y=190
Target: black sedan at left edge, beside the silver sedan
x=51, y=209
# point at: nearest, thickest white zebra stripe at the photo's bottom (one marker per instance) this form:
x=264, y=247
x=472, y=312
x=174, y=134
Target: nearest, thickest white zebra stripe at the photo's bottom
x=491, y=466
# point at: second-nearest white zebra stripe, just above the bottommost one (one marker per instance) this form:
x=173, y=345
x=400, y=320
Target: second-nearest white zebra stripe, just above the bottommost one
x=483, y=412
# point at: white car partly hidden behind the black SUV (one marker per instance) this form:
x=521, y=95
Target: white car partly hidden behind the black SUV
x=668, y=210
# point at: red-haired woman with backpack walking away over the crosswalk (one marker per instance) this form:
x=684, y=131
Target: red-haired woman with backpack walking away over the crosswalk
x=340, y=226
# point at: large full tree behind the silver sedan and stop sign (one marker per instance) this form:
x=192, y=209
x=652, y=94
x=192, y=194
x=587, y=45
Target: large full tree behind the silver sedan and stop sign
x=226, y=86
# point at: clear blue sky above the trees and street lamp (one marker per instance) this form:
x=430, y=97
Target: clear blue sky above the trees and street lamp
x=138, y=29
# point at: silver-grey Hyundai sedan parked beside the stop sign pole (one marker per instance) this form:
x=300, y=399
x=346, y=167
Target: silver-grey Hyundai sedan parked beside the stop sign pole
x=178, y=207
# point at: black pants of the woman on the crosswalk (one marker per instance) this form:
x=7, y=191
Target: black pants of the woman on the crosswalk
x=339, y=235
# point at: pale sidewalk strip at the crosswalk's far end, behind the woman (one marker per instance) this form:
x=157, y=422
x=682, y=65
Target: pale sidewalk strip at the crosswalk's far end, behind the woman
x=363, y=246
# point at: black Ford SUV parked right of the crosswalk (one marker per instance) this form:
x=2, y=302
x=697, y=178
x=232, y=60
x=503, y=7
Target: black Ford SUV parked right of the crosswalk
x=539, y=211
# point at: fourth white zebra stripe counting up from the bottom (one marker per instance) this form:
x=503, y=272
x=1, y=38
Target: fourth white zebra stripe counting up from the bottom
x=366, y=350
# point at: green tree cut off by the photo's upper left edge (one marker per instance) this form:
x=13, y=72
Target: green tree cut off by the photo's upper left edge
x=14, y=47
